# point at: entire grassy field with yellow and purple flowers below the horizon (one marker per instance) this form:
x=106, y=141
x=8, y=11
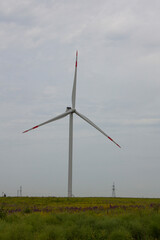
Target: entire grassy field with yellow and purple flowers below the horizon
x=79, y=218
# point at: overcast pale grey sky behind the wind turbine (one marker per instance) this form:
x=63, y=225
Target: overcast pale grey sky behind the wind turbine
x=118, y=88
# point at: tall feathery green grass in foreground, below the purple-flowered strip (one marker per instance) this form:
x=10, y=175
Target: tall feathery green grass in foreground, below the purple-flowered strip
x=78, y=226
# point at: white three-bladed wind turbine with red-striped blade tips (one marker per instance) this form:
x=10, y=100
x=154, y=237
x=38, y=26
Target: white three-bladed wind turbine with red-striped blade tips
x=70, y=111
